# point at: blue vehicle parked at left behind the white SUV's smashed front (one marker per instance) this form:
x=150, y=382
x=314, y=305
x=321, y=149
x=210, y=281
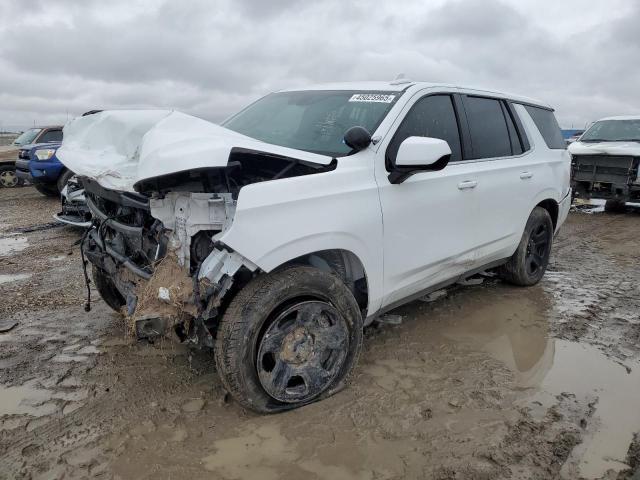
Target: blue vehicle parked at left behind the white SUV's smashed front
x=39, y=165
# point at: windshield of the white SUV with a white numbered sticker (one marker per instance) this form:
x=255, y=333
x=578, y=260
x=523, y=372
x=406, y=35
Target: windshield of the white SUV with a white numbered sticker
x=315, y=121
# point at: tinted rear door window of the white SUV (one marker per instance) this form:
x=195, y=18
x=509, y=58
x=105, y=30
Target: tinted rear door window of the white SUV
x=487, y=127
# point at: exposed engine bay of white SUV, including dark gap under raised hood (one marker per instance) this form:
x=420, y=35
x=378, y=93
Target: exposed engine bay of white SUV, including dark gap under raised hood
x=158, y=248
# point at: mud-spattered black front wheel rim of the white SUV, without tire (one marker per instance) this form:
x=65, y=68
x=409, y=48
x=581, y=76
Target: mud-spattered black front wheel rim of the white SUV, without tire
x=302, y=351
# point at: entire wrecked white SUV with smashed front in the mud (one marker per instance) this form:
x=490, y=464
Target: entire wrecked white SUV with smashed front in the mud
x=276, y=237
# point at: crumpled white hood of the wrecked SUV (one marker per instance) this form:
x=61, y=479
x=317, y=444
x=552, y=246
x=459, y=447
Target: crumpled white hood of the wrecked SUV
x=118, y=148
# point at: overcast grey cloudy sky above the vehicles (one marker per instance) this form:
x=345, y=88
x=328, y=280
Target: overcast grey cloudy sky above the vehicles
x=209, y=58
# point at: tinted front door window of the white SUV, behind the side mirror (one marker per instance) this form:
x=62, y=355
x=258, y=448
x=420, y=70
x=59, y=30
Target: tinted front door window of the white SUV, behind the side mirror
x=433, y=116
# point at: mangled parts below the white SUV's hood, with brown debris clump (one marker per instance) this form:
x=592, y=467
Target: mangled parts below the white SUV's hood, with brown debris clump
x=158, y=257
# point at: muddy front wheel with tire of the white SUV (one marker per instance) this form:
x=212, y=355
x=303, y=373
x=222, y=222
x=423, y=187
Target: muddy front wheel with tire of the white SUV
x=289, y=338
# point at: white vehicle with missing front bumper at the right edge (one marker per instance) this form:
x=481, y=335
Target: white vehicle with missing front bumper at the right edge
x=605, y=162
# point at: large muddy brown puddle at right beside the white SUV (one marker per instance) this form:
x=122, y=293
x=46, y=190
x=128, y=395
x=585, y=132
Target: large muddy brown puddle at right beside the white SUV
x=515, y=330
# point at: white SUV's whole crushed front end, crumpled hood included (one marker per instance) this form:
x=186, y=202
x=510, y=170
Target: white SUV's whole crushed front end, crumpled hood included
x=162, y=190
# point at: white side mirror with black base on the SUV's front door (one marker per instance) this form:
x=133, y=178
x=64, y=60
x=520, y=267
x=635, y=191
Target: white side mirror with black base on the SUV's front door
x=419, y=154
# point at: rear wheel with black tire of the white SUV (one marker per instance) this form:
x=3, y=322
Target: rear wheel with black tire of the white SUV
x=527, y=265
